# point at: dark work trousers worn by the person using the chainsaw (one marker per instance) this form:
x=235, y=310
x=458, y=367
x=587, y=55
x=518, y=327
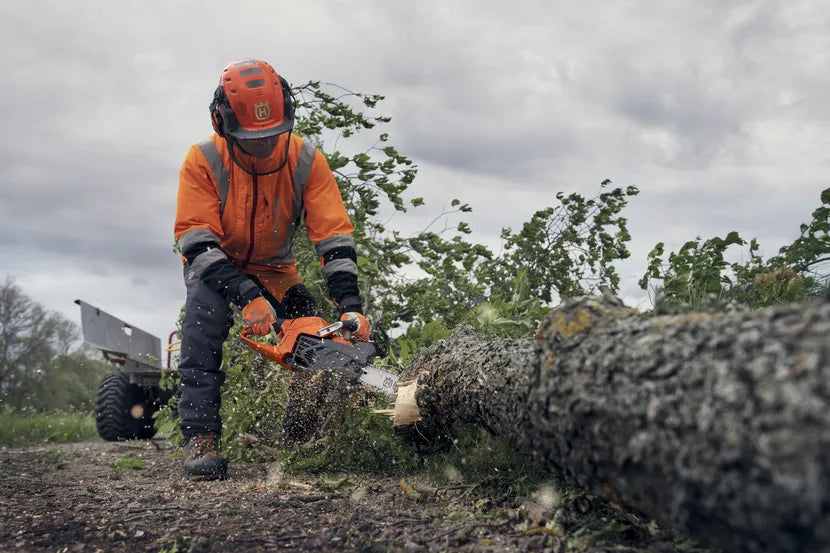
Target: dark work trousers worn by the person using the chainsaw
x=207, y=321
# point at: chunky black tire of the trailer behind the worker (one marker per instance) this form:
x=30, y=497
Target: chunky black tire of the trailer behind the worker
x=115, y=405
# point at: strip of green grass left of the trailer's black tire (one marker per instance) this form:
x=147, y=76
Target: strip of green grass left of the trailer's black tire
x=17, y=429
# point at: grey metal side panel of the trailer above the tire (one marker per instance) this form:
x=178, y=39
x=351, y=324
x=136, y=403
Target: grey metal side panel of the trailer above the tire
x=141, y=350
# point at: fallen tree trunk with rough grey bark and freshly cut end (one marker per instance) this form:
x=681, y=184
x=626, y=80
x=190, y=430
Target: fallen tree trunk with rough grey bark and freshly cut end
x=718, y=424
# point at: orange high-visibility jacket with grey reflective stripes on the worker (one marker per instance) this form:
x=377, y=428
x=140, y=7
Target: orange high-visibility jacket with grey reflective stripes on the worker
x=251, y=219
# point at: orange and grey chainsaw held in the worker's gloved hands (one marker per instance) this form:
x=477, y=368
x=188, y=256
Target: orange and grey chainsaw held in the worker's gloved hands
x=312, y=344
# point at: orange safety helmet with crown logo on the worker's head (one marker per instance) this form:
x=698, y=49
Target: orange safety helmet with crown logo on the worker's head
x=252, y=101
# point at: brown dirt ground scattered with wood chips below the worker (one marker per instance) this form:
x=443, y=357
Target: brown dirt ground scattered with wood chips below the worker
x=84, y=497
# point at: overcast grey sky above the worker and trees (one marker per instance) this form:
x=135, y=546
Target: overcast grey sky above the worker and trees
x=716, y=110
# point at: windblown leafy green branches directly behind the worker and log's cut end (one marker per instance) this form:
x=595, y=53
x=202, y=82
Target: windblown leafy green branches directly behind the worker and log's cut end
x=437, y=273
